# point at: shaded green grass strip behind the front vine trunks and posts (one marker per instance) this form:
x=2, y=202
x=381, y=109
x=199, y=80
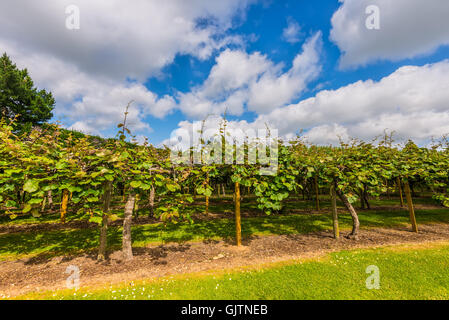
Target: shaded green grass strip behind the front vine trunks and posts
x=68, y=241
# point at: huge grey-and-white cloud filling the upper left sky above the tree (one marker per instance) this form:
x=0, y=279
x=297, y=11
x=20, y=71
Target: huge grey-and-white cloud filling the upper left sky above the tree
x=88, y=70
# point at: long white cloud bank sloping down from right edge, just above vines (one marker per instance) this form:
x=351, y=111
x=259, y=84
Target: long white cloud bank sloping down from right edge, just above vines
x=413, y=101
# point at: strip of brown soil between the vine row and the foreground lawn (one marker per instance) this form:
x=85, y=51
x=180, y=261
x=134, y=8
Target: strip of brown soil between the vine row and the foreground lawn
x=35, y=274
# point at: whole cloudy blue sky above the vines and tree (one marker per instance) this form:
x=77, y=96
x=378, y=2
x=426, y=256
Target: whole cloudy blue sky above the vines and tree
x=313, y=66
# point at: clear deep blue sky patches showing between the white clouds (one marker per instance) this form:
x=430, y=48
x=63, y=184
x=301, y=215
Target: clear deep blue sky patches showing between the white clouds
x=266, y=21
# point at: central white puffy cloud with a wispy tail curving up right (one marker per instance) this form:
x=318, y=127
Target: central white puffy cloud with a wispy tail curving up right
x=239, y=79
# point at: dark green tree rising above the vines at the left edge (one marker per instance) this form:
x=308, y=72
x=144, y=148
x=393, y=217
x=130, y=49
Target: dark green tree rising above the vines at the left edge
x=19, y=98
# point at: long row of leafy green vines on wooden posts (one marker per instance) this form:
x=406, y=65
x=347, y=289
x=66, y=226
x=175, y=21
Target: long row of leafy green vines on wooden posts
x=82, y=174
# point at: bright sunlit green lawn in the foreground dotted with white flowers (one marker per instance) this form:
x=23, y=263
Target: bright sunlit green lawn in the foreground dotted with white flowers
x=406, y=272
